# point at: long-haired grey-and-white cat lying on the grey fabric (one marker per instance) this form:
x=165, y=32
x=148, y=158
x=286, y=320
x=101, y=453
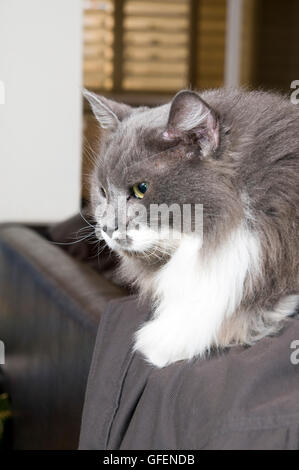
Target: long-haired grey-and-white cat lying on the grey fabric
x=236, y=152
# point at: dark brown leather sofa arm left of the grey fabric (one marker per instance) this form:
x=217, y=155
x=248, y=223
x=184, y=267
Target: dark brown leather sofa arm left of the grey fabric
x=50, y=306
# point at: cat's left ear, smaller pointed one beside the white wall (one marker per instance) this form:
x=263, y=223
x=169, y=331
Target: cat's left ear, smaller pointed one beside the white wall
x=108, y=113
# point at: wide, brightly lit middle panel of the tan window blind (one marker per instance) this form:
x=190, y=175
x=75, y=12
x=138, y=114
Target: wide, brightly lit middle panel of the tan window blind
x=156, y=44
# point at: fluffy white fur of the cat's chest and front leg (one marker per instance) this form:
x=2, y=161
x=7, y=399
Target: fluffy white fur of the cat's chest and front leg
x=194, y=294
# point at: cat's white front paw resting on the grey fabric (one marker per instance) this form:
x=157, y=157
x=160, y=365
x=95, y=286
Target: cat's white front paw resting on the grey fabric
x=161, y=344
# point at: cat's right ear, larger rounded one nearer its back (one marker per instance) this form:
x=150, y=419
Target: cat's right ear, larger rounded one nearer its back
x=191, y=115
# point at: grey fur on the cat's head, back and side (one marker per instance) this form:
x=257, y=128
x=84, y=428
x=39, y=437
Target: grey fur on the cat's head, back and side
x=251, y=173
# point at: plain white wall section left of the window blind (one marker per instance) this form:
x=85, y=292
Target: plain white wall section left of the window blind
x=40, y=122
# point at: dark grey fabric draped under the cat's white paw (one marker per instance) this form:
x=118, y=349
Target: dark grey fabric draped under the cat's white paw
x=244, y=398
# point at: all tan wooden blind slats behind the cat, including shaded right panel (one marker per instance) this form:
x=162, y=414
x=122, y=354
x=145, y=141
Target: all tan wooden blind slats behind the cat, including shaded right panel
x=155, y=44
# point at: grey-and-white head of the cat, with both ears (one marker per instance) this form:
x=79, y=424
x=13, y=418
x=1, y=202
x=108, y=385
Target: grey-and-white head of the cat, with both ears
x=150, y=157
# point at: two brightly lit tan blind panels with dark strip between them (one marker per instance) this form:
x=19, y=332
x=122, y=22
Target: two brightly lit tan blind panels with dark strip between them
x=137, y=44
